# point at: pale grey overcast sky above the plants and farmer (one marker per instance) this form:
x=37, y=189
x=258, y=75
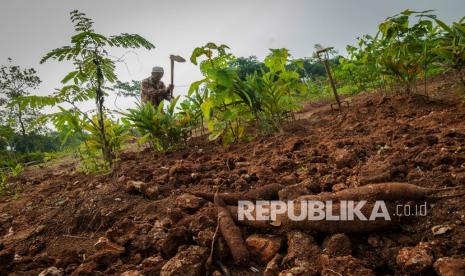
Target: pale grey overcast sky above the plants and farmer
x=29, y=29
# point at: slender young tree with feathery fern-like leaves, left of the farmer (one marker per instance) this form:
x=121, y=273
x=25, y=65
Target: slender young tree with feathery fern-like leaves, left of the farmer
x=94, y=70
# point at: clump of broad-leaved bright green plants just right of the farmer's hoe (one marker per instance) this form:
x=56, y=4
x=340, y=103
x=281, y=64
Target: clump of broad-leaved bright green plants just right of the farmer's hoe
x=234, y=102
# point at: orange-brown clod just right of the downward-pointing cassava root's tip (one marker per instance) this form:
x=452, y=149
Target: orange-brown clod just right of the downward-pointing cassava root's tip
x=263, y=247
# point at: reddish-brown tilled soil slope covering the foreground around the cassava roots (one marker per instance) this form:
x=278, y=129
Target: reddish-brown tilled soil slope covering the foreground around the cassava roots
x=140, y=220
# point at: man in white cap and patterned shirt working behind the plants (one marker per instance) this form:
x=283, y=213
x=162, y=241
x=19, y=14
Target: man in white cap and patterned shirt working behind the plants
x=153, y=90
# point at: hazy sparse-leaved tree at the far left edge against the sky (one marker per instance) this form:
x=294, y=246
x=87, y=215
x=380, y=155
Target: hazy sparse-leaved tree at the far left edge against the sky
x=16, y=82
